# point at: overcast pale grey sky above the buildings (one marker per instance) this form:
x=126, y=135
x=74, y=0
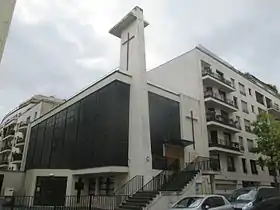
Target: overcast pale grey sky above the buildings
x=58, y=47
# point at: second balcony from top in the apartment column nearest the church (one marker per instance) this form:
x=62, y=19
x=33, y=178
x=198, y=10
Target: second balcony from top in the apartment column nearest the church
x=216, y=100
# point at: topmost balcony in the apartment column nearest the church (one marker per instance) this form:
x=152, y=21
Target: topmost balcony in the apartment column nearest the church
x=213, y=79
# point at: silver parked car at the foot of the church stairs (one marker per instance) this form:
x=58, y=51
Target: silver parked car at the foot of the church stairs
x=203, y=202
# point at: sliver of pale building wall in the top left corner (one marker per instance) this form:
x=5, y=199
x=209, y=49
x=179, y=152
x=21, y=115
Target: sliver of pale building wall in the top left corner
x=6, y=13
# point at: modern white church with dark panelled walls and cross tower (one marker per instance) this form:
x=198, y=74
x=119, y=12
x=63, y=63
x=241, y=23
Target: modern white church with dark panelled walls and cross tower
x=128, y=124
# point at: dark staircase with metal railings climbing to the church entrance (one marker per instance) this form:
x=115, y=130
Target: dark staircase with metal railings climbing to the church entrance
x=169, y=180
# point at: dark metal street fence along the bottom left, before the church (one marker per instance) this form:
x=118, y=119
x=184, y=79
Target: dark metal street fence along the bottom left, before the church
x=94, y=202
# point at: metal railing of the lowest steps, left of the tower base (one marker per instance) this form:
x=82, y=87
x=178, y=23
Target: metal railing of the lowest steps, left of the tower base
x=128, y=189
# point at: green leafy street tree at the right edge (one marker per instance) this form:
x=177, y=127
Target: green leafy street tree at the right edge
x=267, y=130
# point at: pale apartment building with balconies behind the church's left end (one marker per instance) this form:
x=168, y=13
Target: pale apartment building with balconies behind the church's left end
x=14, y=126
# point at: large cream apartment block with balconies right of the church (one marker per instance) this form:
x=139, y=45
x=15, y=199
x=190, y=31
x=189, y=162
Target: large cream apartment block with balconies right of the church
x=231, y=102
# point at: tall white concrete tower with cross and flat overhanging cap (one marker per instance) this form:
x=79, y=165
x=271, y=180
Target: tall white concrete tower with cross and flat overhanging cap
x=130, y=30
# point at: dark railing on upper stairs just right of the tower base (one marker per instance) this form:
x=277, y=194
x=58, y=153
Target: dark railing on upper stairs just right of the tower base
x=157, y=182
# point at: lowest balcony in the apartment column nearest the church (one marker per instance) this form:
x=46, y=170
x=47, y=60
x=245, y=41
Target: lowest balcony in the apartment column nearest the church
x=220, y=145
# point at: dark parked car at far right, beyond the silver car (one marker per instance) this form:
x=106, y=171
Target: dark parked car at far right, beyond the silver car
x=247, y=198
